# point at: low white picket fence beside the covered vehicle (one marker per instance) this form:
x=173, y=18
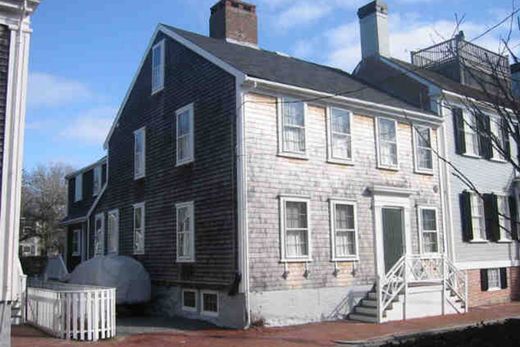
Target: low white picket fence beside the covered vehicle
x=69, y=311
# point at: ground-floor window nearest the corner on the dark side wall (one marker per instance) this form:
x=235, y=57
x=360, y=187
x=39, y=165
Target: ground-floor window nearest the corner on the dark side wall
x=185, y=232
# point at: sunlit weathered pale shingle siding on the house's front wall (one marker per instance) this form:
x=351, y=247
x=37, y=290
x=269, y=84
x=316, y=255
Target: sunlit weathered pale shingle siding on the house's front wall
x=269, y=176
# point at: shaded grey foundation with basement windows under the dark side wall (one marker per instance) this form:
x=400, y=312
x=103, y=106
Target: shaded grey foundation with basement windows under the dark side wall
x=167, y=301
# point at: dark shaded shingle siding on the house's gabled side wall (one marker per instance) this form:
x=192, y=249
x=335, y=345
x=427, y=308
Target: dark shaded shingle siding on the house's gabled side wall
x=209, y=181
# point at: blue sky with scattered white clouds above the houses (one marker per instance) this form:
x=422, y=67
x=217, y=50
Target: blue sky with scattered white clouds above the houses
x=84, y=53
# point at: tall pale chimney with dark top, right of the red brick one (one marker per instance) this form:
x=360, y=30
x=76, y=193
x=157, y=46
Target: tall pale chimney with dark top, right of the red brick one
x=373, y=22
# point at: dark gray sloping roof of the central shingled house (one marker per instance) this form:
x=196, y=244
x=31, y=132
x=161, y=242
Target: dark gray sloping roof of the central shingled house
x=279, y=68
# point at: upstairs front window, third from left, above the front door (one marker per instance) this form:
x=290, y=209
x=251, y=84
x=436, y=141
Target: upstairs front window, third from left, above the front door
x=387, y=143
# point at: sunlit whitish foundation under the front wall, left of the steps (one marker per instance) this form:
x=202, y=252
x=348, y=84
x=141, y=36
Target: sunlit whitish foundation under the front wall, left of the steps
x=298, y=306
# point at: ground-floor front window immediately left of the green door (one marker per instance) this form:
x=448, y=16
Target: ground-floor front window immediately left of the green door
x=344, y=235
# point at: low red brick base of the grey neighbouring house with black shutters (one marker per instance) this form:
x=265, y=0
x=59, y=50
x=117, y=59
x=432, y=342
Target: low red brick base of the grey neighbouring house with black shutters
x=478, y=298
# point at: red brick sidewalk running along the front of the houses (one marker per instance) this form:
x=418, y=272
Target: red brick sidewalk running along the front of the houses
x=319, y=334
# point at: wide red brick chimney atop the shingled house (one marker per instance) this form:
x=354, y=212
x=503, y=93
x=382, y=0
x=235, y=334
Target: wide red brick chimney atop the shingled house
x=235, y=21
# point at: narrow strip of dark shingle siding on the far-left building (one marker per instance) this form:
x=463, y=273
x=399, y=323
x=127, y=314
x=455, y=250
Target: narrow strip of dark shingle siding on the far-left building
x=5, y=35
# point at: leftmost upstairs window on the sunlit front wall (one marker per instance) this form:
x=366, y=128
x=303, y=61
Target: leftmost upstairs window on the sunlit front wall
x=293, y=126
